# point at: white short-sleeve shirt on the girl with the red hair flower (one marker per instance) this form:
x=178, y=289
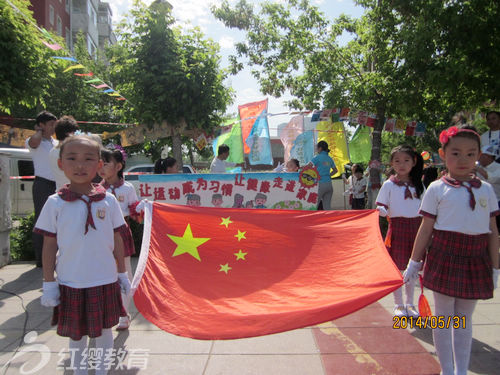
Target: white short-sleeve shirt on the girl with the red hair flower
x=450, y=207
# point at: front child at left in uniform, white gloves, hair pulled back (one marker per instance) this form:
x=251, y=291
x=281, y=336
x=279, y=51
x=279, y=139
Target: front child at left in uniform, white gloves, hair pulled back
x=81, y=225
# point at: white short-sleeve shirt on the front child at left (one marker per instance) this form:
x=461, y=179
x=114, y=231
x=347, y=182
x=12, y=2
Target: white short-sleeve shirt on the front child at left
x=83, y=260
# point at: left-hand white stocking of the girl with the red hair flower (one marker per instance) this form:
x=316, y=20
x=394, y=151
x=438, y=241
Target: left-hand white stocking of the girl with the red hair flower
x=444, y=306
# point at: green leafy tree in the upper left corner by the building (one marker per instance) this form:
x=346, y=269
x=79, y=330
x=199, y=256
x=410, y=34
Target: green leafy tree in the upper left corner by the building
x=23, y=64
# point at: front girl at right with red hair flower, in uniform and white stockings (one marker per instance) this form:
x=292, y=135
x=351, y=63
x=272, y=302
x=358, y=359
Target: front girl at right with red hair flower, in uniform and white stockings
x=462, y=262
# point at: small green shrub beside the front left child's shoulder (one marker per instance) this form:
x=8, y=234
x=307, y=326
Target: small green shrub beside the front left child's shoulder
x=21, y=246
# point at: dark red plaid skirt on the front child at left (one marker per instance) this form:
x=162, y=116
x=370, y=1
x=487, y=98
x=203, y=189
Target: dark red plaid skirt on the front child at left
x=87, y=311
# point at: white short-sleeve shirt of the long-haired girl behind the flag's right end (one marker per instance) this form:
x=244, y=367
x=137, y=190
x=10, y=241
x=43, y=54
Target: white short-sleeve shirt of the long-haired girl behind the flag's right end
x=392, y=197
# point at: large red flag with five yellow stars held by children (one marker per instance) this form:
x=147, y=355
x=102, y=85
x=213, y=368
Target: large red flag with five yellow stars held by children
x=211, y=273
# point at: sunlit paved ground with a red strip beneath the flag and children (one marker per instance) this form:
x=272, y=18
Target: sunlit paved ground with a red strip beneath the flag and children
x=362, y=343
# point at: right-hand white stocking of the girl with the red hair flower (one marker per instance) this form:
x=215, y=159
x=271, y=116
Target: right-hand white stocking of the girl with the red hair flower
x=462, y=337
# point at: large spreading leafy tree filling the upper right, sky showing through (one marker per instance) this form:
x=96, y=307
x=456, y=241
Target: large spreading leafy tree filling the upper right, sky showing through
x=382, y=68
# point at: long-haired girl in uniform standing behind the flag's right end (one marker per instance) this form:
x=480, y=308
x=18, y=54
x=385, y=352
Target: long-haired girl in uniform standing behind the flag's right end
x=399, y=198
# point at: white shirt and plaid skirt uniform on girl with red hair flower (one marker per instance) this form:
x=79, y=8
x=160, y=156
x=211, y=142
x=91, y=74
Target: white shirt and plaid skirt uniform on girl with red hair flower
x=458, y=262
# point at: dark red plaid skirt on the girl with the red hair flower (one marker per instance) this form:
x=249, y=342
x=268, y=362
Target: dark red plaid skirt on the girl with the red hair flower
x=459, y=265
